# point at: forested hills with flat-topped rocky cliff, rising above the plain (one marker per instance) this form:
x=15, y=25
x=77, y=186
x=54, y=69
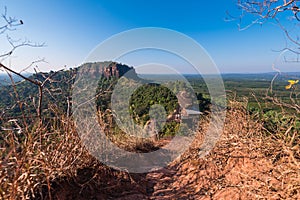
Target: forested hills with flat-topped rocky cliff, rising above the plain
x=23, y=101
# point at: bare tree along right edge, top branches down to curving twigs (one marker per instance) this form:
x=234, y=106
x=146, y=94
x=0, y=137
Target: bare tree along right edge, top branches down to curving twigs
x=286, y=14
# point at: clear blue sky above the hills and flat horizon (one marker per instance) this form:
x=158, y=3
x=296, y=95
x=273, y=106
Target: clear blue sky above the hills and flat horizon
x=72, y=29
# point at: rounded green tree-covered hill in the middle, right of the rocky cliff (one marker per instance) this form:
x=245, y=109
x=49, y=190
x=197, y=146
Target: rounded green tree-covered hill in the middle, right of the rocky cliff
x=149, y=97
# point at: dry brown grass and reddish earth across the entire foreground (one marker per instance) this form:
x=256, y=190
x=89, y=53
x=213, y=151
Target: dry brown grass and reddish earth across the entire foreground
x=47, y=161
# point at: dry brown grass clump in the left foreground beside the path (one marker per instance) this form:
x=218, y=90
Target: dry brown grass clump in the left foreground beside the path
x=45, y=153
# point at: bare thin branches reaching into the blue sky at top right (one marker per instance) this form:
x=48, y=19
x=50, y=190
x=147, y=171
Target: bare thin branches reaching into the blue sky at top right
x=263, y=11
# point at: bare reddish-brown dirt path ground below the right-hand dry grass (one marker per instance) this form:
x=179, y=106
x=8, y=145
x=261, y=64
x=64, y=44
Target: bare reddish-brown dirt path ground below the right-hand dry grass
x=227, y=173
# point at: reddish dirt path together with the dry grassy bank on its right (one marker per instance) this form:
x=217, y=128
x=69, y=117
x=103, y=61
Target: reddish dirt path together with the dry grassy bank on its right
x=243, y=165
